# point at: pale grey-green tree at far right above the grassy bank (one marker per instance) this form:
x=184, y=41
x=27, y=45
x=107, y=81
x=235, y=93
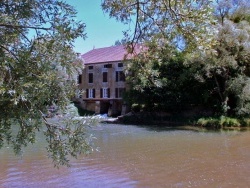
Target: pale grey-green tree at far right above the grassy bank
x=227, y=62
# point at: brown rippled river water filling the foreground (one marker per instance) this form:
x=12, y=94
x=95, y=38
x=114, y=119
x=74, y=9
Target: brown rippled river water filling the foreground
x=130, y=156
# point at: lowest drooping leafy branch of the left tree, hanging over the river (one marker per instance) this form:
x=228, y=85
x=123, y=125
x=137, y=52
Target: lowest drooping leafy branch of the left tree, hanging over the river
x=67, y=137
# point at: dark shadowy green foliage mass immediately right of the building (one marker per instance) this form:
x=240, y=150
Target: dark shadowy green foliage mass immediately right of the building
x=173, y=88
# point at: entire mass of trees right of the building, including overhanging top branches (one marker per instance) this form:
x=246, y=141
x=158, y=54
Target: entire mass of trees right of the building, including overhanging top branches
x=195, y=61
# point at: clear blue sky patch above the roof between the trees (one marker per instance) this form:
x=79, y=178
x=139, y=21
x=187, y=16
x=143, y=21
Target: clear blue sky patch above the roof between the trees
x=102, y=31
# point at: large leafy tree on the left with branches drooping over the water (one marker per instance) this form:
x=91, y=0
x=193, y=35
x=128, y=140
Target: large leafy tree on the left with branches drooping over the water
x=36, y=67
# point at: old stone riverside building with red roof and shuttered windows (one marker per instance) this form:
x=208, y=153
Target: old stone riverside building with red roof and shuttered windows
x=102, y=82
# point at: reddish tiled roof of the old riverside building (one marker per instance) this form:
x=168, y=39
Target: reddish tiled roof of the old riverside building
x=107, y=54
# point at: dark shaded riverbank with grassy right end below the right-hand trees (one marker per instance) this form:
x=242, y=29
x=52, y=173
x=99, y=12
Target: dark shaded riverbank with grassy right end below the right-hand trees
x=148, y=118
